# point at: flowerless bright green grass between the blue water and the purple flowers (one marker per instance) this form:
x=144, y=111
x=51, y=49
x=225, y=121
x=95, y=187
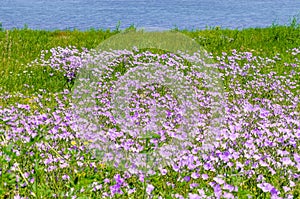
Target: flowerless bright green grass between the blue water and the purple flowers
x=19, y=47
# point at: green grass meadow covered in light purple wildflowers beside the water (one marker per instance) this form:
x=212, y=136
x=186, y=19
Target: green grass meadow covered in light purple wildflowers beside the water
x=46, y=153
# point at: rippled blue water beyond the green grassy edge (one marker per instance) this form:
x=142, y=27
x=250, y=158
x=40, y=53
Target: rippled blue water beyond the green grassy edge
x=150, y=14
